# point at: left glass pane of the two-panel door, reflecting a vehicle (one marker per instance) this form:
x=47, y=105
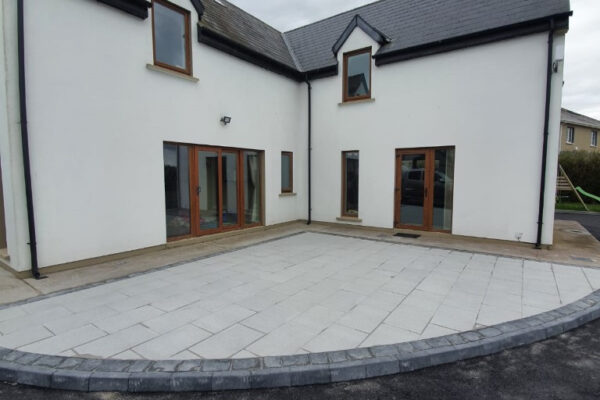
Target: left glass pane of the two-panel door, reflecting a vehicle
x=412, y=204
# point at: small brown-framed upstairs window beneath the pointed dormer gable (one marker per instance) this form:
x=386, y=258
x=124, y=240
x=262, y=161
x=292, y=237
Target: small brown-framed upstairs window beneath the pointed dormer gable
x=357, y=75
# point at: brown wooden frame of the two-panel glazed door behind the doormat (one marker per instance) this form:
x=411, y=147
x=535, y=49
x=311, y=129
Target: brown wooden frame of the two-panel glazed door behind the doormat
x=428, y=188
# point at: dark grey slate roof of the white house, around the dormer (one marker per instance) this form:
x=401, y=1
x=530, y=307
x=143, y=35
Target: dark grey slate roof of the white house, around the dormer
x=408, y=23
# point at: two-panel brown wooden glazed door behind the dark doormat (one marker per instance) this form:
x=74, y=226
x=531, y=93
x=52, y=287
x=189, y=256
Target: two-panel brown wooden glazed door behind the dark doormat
x=424, y=192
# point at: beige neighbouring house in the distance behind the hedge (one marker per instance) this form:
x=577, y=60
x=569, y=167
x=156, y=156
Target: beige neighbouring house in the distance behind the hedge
x=578, y=132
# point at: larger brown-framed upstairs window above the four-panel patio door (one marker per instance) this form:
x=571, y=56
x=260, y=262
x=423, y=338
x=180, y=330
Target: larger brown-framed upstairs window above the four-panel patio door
x=171, y=33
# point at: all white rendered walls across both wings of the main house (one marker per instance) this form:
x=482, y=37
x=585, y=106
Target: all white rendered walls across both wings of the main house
x=98, y=118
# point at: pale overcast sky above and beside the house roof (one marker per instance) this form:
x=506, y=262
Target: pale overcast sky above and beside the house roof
x=582, y=65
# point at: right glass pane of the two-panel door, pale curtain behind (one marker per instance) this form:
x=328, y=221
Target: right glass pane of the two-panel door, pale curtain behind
x=443, y=191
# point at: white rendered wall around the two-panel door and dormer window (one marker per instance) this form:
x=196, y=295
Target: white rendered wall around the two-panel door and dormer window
x=488, y=101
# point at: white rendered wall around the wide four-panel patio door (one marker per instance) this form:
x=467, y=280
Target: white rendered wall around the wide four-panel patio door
x=98, y=119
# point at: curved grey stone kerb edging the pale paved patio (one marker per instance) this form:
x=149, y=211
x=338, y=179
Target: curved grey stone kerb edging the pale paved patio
x=79, y=374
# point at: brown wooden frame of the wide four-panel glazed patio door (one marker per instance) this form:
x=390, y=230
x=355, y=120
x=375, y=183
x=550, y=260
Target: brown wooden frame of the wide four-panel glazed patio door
x=195, y=230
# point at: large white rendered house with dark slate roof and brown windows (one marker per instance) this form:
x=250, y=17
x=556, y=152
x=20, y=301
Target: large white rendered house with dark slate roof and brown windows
x=129, y=124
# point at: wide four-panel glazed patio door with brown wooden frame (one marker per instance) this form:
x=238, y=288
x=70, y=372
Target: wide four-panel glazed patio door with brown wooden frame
x=211, y=189
